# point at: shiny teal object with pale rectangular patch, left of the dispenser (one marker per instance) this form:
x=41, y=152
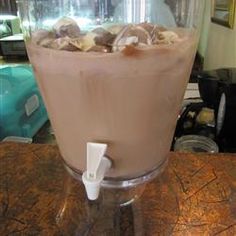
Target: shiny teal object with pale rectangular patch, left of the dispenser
x=22, y=112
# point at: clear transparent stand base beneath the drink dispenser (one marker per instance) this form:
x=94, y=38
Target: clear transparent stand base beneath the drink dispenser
x=135, y=211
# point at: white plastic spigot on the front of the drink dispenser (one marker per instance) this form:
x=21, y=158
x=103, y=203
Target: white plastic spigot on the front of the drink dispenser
x=97, y=166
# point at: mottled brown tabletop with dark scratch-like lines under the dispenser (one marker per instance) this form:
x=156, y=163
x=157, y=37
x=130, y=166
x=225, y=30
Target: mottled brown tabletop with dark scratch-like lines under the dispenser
x=196, y=195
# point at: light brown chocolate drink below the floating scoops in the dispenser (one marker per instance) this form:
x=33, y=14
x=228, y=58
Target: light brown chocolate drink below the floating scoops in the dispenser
x=128, y=99
